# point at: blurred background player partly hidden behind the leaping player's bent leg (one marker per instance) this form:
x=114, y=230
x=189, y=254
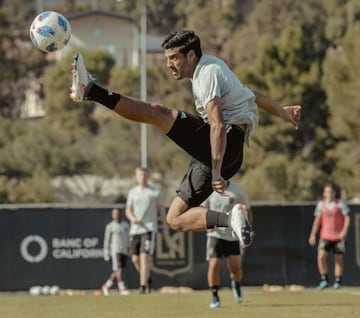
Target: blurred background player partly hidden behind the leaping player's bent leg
x=221, y=243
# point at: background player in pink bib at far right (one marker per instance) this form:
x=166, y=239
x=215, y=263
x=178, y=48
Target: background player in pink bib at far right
x=333, y=220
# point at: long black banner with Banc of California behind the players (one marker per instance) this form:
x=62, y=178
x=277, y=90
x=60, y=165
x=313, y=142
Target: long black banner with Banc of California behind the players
x=63, y=246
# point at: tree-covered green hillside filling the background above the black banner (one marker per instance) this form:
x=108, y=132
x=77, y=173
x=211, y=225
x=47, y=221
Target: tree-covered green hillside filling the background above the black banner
x=297, y=52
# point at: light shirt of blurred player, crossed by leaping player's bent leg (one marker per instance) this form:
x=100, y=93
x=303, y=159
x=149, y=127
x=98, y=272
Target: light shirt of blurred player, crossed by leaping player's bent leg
x=221, y=203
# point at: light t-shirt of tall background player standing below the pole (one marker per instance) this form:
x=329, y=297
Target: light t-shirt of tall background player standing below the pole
x=144, y=202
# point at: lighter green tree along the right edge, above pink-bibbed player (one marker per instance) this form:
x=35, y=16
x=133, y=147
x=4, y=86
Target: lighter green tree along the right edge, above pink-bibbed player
x=342, y=86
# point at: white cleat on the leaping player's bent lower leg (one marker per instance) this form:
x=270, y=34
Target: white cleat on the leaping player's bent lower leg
x=240, y=225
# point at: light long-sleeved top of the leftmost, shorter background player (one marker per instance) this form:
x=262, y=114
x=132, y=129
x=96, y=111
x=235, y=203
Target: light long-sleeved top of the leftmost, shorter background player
x=116, y=238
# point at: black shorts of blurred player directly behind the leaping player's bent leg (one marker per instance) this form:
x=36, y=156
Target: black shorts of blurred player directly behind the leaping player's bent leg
x=219, y=248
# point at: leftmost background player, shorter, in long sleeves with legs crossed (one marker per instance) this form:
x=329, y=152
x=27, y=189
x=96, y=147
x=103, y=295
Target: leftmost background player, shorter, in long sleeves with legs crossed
x=116, y=247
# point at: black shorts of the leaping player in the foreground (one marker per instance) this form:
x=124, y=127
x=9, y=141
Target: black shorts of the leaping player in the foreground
x=192, y=134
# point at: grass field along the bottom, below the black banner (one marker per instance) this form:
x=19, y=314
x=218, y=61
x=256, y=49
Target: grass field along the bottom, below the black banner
x=308, y=303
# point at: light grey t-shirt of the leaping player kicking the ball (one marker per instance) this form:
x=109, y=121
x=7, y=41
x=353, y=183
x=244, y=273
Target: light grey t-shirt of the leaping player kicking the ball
x=211, y=78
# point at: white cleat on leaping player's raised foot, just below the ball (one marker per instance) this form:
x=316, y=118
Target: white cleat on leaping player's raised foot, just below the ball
x=82, y=79
